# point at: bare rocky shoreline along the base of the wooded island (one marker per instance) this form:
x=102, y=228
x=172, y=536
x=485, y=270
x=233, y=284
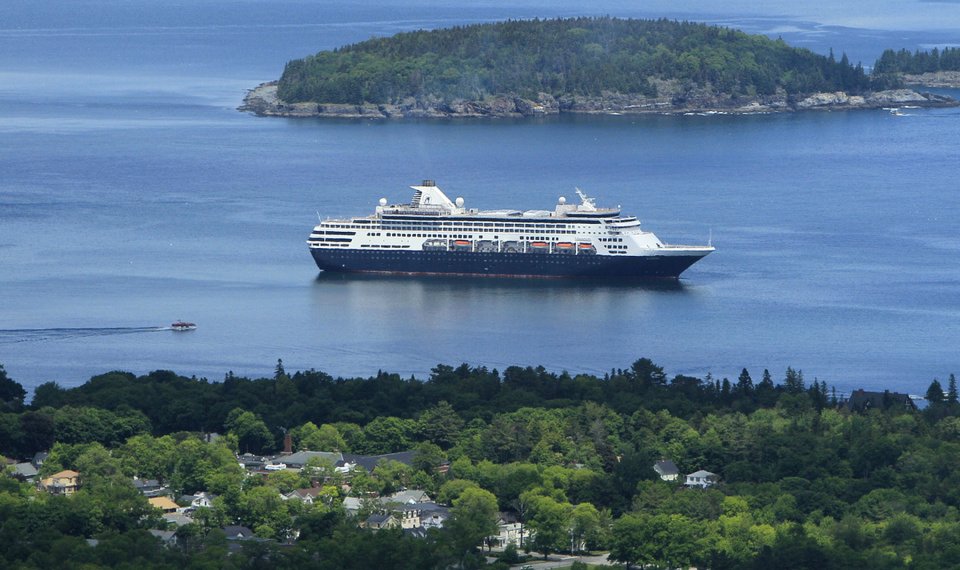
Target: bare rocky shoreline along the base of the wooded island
x=674, y=100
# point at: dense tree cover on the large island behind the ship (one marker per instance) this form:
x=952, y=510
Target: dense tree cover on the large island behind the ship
x=576, y=56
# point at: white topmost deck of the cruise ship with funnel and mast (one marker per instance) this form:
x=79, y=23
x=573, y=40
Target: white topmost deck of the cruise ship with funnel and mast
x=429, y=201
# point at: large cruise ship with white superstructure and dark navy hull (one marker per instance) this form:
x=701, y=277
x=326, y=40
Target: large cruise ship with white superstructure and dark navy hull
x=433, y=235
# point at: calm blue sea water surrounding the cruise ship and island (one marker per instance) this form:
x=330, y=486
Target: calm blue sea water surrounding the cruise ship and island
x=133, y=194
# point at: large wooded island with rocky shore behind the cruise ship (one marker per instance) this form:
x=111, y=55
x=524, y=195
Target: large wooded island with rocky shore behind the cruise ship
x=575, y=65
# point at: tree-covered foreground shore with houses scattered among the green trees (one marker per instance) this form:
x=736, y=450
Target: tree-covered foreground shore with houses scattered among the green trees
x=165, y=471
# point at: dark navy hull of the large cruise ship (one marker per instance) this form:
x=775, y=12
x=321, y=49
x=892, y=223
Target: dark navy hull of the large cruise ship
x=494, y=264
